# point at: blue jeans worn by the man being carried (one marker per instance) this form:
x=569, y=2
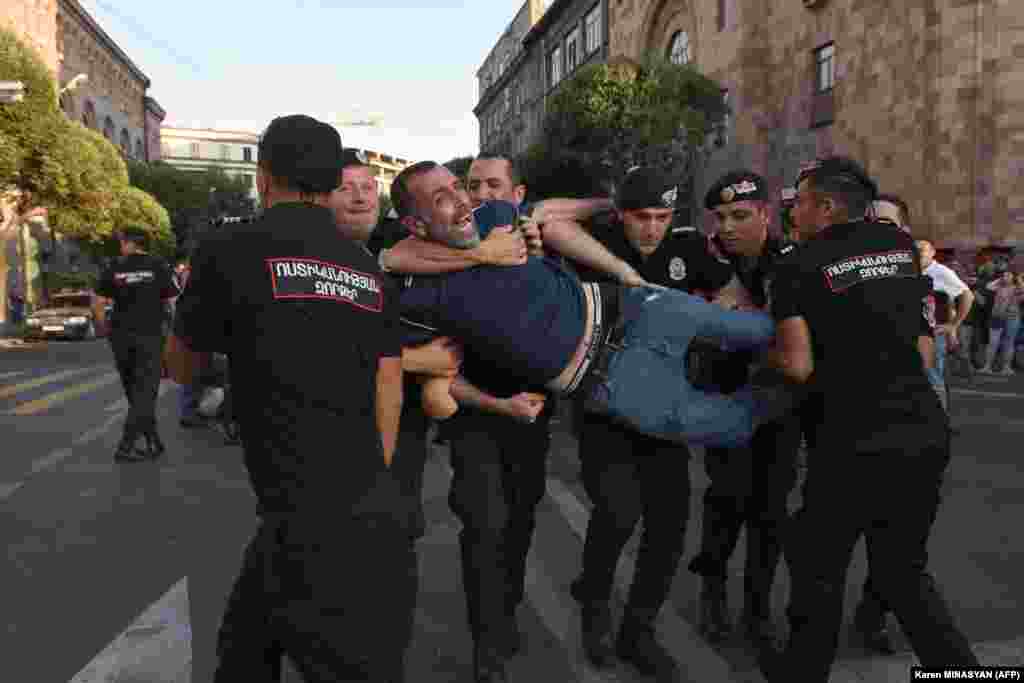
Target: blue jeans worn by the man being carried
x=647, y=387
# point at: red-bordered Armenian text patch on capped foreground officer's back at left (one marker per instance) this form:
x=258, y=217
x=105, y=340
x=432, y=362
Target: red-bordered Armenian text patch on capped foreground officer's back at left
x=312, y=279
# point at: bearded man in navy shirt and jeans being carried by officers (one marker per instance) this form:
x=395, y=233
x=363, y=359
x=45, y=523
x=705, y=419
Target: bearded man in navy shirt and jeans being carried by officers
x=538, y=324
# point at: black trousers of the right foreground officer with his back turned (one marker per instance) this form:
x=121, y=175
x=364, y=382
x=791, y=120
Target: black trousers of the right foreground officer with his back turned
x=891, y=498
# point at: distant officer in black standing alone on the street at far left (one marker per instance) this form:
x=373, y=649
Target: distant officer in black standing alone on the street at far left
x=142, y=287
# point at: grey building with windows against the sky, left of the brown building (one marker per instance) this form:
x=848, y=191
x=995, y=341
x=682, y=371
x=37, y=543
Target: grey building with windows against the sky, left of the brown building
x=545, y=45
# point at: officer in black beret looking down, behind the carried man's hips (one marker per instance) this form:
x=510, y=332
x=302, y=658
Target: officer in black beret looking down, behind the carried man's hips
x=628, y=476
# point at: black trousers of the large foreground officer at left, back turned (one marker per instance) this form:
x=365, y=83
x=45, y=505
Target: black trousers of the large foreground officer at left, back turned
x=336, y=596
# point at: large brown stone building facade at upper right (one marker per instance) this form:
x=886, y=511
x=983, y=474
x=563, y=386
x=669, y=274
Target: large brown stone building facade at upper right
x=928, y=95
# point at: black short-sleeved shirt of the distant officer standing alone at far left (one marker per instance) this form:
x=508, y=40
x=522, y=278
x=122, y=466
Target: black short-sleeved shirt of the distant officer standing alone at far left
x=139, y=285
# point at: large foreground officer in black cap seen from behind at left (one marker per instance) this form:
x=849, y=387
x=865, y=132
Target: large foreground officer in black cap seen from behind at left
x=310, y=329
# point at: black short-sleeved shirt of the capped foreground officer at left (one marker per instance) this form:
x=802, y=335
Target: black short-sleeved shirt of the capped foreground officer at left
x=304, y=316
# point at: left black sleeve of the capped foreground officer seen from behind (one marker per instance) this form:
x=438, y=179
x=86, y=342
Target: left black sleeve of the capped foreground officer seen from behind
x=201, y=318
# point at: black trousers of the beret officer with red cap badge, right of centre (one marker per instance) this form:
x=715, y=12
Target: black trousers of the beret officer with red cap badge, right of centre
x=750, y=487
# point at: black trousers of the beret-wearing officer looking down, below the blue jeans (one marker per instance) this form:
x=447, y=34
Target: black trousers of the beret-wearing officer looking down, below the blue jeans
x=629, y=477
